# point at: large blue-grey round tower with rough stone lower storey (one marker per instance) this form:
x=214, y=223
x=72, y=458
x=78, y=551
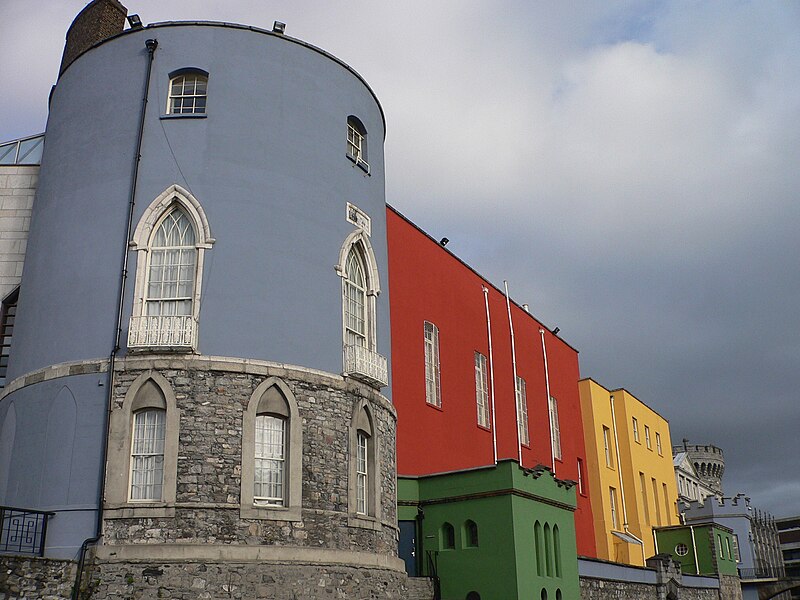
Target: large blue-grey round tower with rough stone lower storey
x=203, y=322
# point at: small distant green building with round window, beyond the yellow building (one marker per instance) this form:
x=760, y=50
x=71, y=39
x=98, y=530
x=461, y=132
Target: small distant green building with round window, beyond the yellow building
x=707, y=549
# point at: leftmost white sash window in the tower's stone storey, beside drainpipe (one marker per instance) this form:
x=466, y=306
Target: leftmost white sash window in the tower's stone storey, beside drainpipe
x=147, y=454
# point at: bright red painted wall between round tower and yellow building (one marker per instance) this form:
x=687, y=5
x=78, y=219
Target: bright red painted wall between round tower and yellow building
x=428, y=283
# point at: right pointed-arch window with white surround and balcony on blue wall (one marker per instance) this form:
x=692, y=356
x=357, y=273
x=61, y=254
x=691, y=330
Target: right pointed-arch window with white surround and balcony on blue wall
x=360, y=287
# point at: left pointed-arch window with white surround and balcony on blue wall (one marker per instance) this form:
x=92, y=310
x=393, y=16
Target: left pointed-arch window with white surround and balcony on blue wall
x=170, y=241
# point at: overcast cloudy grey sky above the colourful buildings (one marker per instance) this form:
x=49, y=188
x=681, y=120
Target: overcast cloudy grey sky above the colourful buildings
x=631, y=168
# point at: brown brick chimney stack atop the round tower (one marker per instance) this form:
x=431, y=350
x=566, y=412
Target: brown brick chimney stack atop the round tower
x=99, y=20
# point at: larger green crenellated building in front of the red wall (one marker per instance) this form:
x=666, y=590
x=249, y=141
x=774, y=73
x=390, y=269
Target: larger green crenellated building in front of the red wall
x=492, y=532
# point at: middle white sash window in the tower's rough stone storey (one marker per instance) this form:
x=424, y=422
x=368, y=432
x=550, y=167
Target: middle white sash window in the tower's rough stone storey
x=270, y=460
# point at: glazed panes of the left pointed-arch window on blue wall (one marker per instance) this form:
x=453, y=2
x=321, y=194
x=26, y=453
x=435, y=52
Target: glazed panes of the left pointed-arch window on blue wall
x=171, y=273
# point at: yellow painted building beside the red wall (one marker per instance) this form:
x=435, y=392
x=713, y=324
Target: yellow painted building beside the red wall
x=629, y=470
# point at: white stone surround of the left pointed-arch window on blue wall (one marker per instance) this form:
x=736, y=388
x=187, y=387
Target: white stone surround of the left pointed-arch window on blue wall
x=154, y=214
